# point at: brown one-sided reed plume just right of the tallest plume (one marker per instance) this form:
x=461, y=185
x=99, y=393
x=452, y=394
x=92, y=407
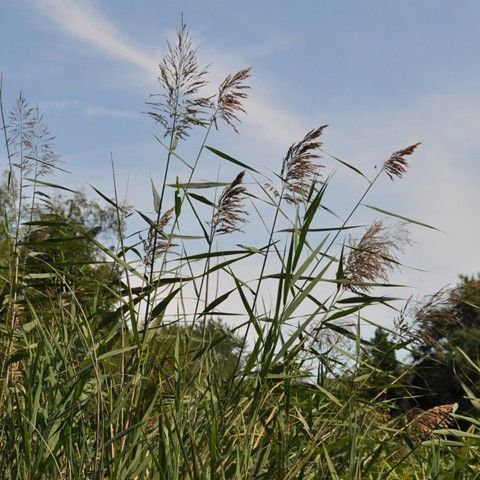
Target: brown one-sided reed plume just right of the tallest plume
x=231, y=95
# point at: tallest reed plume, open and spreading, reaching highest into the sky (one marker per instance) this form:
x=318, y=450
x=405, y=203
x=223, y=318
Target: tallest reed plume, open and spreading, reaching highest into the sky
x=180, y=78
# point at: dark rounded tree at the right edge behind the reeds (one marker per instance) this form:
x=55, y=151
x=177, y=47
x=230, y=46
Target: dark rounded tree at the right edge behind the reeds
x=448, y=324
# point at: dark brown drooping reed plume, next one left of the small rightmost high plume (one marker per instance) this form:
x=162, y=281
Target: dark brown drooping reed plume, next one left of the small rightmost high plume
x=299, y=169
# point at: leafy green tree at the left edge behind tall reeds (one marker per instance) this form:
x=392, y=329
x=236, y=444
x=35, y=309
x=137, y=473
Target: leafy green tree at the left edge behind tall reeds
x=55, y=252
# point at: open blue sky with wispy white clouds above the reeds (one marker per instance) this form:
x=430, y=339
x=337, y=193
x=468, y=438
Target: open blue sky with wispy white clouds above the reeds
x=383, y=74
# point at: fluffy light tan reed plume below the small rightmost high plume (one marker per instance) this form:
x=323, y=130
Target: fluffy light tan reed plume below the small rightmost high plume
x=372, y=257
